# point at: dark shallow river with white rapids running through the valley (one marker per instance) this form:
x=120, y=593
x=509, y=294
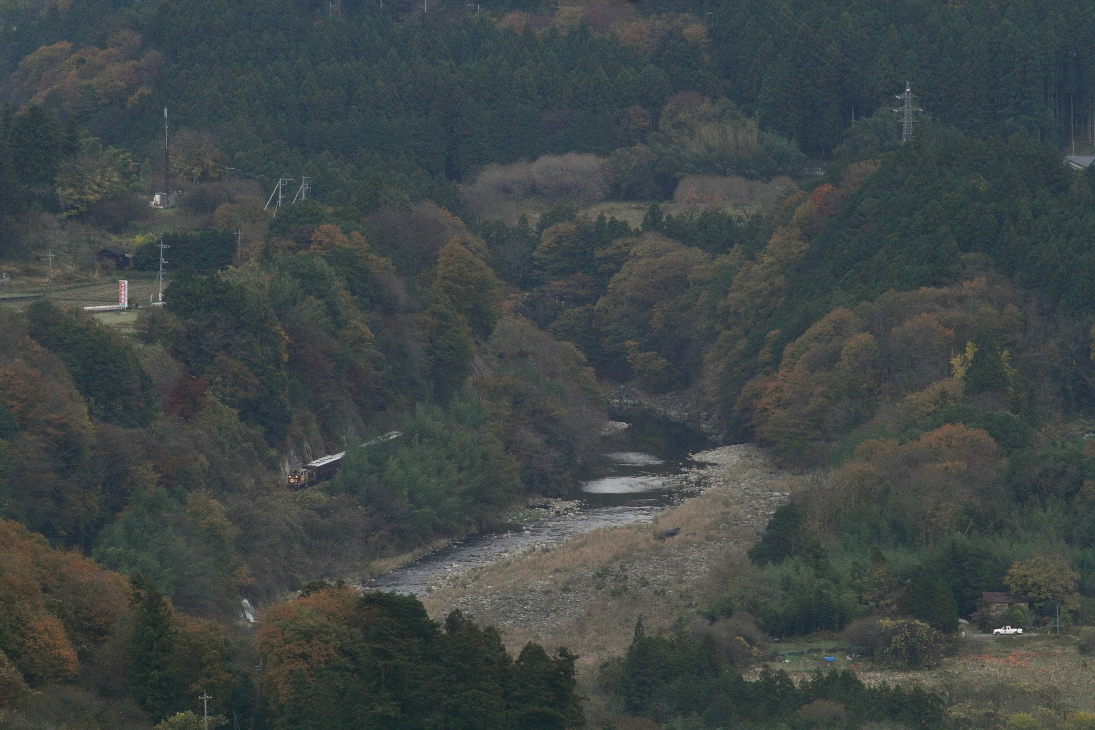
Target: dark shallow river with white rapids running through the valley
x=639, y=478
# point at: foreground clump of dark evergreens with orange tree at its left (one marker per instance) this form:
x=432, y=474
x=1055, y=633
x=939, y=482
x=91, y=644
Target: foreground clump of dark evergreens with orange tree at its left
x=378, y=657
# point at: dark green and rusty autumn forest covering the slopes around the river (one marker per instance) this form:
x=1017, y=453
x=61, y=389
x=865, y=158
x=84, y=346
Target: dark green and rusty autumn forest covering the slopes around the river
x=513, y=211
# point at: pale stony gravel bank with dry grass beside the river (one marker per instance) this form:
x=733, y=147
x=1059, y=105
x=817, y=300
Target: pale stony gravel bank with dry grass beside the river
x=587, y=593
